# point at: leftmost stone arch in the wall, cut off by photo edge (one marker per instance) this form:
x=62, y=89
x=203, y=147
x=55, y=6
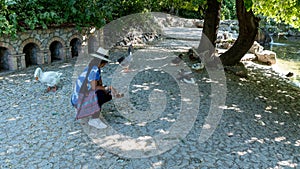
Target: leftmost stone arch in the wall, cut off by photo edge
x=6, y=51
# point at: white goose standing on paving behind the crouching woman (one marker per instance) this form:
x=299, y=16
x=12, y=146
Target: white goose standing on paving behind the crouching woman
x=50, y=78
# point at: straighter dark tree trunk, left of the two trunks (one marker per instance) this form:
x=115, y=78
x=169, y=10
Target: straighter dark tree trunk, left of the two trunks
x=211, y=25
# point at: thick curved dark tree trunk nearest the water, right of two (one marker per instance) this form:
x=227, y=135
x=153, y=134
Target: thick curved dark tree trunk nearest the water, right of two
x=248, y=27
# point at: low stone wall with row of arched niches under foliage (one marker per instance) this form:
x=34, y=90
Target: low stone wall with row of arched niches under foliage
x=37, y=47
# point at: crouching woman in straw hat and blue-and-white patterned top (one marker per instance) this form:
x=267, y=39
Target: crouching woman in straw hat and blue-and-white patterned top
x=90, y=81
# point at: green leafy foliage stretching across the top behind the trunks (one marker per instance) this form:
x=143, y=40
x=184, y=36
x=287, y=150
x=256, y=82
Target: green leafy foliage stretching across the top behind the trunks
x=19, y=15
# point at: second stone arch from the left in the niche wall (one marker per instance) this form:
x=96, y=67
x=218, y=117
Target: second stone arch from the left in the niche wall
x=31, y=47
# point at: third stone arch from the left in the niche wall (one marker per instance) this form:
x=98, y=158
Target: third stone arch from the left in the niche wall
x=56, y=48
